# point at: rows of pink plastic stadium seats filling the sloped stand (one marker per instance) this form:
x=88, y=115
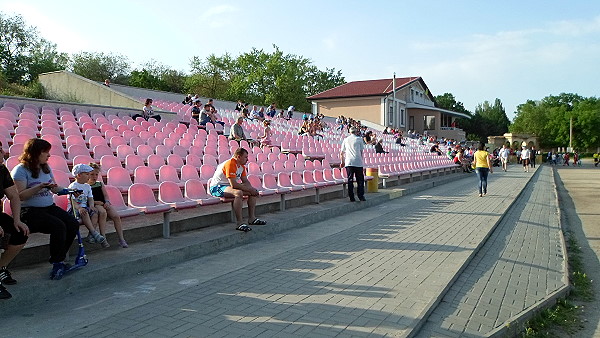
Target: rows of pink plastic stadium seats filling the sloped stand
x=159, y=167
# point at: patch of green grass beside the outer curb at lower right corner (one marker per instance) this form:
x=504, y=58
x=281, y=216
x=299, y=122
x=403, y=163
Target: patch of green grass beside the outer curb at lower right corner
x=565, y=316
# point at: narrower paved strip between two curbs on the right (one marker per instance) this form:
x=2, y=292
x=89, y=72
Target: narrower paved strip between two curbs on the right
x=518, y=267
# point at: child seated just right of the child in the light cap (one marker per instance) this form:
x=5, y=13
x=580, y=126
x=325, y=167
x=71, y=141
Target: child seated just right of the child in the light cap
x=103, y=206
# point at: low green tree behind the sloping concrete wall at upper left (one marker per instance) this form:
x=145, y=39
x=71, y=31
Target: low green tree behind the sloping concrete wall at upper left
x=98, y=66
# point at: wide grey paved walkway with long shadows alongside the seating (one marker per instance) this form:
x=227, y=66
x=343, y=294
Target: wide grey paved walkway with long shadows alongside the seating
x=379, y=272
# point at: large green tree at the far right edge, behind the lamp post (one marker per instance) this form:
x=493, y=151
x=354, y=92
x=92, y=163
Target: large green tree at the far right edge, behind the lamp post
x=549, y=119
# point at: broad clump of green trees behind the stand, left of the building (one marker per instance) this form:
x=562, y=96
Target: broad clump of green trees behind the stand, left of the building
x=260, y=77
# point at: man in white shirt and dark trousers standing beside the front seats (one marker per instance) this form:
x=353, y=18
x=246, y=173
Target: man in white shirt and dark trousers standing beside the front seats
x=351, y=158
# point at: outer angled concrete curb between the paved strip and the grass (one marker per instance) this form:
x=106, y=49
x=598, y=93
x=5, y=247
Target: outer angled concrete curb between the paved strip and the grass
x=514, y=325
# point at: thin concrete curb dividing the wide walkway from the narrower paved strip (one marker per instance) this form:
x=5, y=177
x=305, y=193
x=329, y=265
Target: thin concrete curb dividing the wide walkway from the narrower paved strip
x=422, y=318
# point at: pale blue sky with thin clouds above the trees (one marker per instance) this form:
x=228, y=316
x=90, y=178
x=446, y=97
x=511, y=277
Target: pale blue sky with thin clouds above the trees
x=477, y=50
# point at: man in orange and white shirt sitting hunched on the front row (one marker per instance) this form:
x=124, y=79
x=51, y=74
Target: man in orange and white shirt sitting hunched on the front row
x=230, y=181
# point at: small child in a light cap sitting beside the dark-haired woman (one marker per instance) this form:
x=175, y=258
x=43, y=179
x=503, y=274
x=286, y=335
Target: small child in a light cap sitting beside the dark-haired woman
x=83, y=203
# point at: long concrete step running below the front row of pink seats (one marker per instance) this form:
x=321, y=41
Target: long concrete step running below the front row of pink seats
x=35, y=287
